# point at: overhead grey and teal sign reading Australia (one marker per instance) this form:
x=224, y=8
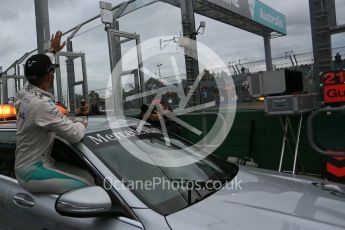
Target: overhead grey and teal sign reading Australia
x=256, y=11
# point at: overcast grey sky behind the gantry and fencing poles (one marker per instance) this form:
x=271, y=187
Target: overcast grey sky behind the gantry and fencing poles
x=17, y=23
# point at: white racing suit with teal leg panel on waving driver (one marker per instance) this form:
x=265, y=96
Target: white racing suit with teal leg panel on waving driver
x=38, y=121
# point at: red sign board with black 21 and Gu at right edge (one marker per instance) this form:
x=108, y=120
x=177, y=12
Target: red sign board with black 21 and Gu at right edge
x=334, y=87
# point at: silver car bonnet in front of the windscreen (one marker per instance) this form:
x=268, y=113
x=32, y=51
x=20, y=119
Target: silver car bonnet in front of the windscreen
x=264, y=199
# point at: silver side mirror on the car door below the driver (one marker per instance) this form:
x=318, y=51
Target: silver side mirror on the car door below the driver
x=84, y=202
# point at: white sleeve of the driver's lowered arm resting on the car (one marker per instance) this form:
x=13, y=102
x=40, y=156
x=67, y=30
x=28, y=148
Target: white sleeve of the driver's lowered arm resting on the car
x=50, y=118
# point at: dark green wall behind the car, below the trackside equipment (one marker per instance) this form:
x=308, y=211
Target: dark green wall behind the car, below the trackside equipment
x=258, y=136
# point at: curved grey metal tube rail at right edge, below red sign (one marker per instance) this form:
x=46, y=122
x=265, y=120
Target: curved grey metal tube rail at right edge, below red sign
x=311, y=137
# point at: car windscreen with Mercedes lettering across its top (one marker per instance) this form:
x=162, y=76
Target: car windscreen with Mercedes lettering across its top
x=163, y=189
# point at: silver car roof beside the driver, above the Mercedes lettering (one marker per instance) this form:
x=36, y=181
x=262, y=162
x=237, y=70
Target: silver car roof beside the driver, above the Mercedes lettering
x=94, y=123
